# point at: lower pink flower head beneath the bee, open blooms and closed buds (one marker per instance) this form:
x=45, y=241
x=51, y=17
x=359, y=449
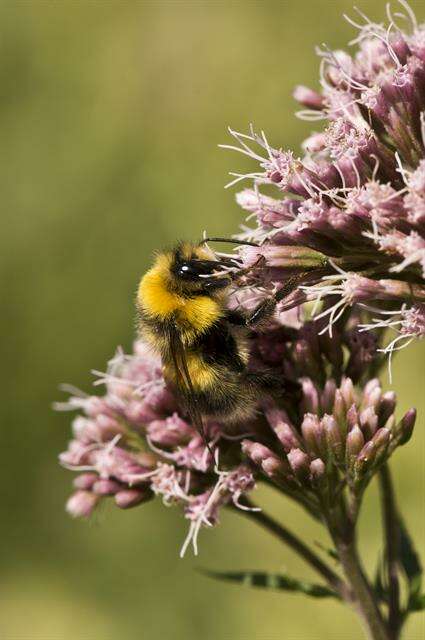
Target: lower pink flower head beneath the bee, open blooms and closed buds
x=136, y=442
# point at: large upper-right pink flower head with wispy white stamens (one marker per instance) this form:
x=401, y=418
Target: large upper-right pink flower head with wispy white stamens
x=354, y=204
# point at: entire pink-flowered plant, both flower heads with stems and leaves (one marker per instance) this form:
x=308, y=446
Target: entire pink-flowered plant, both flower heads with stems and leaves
x=347, y=225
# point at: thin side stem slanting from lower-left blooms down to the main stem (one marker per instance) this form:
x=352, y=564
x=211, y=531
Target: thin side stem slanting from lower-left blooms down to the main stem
x=292, y=541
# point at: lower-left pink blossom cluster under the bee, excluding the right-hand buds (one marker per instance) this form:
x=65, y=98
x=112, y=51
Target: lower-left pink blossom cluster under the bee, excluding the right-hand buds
x=132, y=444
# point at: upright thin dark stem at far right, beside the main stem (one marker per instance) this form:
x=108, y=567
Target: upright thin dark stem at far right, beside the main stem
x=392, y=543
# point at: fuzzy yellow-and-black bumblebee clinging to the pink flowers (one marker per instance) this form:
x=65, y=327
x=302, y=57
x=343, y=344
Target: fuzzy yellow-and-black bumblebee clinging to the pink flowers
x=183, y=313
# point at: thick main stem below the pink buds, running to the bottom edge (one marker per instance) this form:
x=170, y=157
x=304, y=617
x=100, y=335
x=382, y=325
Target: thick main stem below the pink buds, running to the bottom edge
x=364, y=601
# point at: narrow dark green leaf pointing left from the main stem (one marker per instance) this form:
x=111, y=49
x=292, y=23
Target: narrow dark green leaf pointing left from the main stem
x=274, y=581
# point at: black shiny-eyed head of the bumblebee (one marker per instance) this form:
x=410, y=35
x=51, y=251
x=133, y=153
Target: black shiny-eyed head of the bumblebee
x=195, y=269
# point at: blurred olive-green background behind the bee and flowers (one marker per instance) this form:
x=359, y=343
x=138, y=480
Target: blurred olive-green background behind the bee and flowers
x=110, y=117
